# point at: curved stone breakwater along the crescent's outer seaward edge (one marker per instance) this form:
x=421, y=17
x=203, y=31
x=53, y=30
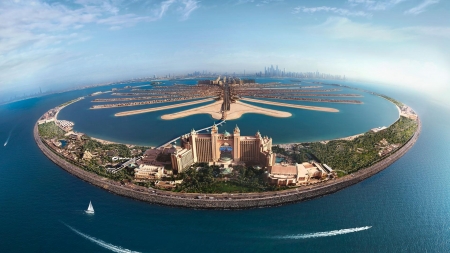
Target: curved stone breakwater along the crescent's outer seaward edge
x=226, y=201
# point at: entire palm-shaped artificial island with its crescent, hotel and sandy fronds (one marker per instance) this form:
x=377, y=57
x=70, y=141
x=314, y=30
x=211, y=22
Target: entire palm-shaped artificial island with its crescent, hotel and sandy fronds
x=222, y=170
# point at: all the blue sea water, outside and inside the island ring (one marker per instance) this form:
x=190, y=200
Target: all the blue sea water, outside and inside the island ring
x=405, y=208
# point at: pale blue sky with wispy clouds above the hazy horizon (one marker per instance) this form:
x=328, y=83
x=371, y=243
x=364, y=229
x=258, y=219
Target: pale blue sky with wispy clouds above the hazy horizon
x=53, y=45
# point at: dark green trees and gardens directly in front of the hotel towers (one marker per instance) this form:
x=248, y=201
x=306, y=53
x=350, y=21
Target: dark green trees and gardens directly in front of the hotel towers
x=202, y=178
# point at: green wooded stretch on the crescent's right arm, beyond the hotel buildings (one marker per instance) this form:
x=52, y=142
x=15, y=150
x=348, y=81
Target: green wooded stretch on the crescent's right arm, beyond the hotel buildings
x=363, y=151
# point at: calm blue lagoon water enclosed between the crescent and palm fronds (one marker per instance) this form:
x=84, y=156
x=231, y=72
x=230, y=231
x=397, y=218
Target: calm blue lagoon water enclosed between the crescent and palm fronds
x=303, y=126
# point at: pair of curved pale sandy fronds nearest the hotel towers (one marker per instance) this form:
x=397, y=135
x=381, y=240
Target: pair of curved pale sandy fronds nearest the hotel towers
x=236, y=111
